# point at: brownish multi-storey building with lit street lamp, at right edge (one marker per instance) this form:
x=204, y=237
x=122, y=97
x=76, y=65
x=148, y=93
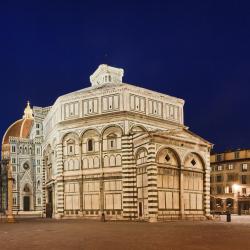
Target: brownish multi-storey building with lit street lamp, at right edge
x=230, y=181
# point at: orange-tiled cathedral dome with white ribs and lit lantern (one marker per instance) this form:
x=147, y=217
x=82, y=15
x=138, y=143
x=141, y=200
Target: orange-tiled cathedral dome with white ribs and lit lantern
x=21, y=128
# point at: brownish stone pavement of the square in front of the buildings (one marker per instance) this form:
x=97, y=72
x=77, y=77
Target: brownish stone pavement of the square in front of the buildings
x=32, y=234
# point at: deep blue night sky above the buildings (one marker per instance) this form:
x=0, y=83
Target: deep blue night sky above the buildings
x=195, y=50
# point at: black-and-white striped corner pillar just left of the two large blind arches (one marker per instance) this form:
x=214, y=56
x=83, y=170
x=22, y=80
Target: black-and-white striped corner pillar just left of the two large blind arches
x=152, y=184
